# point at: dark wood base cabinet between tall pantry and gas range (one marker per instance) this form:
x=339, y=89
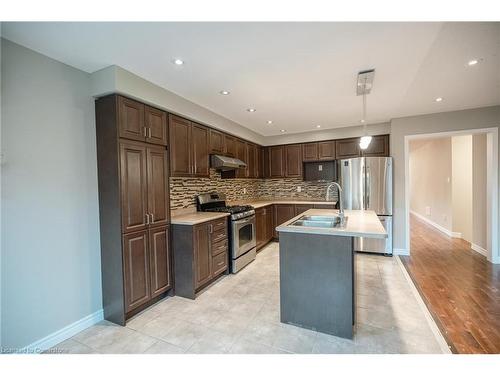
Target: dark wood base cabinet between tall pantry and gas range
x=201, y=255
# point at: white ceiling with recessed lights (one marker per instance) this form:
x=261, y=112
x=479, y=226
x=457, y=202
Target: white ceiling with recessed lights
x=298, y=75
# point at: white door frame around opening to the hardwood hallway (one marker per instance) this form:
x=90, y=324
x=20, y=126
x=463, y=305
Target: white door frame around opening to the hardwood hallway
x=491, y=178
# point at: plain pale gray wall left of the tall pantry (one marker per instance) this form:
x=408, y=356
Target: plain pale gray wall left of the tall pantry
x=50, y=227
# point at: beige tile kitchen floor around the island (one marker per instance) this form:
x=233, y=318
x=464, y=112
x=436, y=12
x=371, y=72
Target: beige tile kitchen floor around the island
x=240, y=314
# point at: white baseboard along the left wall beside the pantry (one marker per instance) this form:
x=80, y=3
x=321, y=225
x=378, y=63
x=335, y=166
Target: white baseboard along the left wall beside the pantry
x=63, y=334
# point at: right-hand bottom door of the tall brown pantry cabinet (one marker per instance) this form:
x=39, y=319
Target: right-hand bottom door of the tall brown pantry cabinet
x=159, y=254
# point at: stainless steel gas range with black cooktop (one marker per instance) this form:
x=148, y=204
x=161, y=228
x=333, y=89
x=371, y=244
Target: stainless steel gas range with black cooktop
x=241, y=228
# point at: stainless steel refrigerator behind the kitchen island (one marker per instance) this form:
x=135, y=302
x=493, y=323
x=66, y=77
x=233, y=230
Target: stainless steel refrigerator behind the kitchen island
x=367, y=185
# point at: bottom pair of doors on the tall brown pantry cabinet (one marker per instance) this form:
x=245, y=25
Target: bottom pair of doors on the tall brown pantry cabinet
x=146, y=263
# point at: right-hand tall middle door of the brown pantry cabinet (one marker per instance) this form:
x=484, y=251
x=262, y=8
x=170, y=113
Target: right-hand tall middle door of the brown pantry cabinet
x=158, y=196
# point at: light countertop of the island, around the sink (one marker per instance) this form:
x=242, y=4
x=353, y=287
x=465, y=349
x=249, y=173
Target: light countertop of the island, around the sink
x=359, y=224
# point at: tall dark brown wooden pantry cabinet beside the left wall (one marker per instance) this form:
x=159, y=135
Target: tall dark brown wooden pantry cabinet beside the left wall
x=132, y=161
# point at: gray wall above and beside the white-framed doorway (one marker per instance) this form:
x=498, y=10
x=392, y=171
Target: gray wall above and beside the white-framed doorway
x=478, y=118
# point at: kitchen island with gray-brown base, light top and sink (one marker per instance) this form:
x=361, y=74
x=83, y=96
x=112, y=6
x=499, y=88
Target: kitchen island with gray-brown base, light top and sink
x=317, y=277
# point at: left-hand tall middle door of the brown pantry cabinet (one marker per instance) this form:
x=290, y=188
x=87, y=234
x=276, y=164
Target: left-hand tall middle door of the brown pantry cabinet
x=133, y=180
